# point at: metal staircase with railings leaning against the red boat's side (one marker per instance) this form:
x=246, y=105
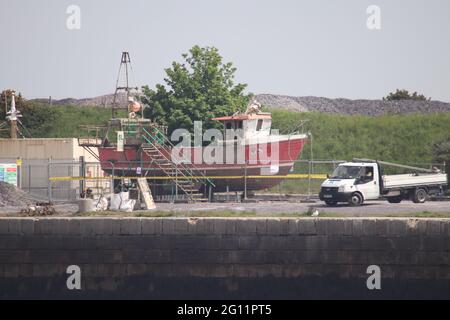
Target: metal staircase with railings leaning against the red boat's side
x=187, y=178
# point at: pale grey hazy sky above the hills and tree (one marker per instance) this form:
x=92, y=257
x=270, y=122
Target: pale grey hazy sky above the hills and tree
x=292, y=47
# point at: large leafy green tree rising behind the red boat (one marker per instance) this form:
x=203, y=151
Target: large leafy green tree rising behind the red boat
x=199, y=88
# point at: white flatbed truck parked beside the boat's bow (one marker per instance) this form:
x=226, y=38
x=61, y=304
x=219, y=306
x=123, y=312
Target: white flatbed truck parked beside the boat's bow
x=362, y=180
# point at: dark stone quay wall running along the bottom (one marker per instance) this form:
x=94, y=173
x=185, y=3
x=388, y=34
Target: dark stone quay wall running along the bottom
x=224, y=258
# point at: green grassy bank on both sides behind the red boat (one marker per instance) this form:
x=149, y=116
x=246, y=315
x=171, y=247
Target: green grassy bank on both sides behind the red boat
x=387, y=137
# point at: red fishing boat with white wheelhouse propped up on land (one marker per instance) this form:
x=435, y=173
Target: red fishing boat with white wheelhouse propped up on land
x=246, y=154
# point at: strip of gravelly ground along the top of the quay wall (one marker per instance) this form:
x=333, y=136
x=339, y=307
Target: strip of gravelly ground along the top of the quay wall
x=262, y=209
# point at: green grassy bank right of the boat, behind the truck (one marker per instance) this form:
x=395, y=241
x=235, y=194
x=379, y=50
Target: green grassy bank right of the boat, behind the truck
x=387, y=137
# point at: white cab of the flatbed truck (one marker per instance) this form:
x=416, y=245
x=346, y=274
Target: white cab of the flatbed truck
x=352, y=182
